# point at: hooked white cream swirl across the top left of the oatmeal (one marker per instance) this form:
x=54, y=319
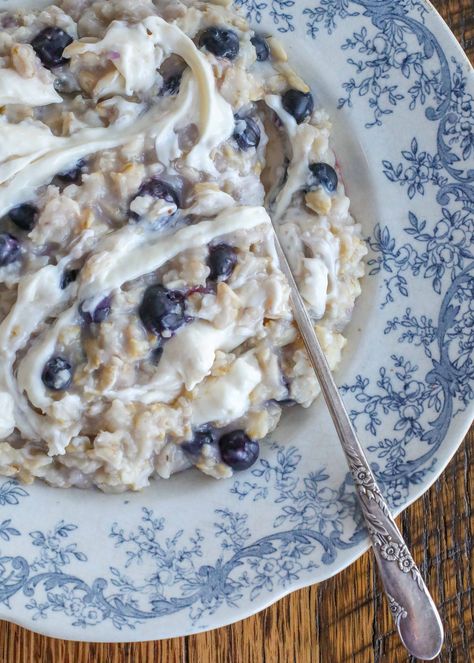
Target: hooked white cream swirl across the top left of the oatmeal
x=42, y=154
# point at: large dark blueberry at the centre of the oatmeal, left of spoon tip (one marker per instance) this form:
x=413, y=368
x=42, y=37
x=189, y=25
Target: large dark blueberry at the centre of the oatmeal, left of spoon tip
x=162, y=309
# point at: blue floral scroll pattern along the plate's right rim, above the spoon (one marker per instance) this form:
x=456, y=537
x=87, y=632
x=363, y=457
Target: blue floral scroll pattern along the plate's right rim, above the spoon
x=398, y=62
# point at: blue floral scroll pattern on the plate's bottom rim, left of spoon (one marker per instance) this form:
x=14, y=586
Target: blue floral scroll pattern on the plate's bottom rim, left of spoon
x=308, y=531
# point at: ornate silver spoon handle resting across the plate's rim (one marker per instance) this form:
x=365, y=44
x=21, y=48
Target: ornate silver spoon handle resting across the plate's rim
x=413, y=609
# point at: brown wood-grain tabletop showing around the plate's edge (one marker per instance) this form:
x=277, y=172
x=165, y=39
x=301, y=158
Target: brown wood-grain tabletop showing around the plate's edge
x=344, y=619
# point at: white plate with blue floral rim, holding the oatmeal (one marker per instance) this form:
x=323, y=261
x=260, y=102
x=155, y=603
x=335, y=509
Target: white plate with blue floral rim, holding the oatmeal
x=192, y=553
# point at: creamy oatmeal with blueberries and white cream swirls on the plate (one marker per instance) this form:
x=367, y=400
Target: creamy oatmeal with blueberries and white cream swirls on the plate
x=145, y=322
